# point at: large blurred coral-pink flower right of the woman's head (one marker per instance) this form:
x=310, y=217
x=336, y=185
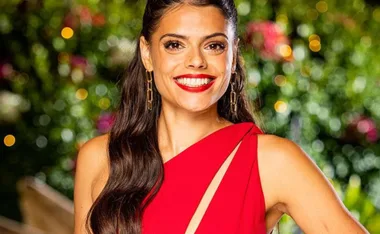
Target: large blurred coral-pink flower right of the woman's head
x=267, y=37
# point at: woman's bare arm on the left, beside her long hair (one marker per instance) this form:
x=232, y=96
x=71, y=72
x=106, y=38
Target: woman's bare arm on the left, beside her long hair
x=90, y=177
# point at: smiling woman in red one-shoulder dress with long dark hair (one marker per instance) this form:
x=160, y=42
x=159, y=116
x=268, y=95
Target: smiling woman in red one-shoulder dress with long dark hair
x=185, y=154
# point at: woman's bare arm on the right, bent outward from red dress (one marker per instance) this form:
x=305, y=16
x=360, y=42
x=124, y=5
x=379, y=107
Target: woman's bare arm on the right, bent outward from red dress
x=308, y=196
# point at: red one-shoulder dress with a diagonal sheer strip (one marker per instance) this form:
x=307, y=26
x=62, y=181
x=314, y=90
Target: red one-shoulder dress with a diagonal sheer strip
x=238, y=205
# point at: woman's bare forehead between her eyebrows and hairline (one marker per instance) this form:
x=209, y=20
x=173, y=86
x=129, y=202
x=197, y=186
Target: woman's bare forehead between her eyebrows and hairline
x=193, y=21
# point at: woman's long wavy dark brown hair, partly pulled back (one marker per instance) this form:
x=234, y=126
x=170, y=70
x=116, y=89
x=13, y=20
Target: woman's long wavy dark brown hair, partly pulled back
x=136, y=166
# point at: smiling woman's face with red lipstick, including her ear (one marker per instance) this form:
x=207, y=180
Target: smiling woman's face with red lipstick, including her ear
x=192, y=54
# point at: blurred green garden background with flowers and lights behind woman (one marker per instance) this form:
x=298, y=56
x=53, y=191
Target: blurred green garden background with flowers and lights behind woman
x=313, y=67
